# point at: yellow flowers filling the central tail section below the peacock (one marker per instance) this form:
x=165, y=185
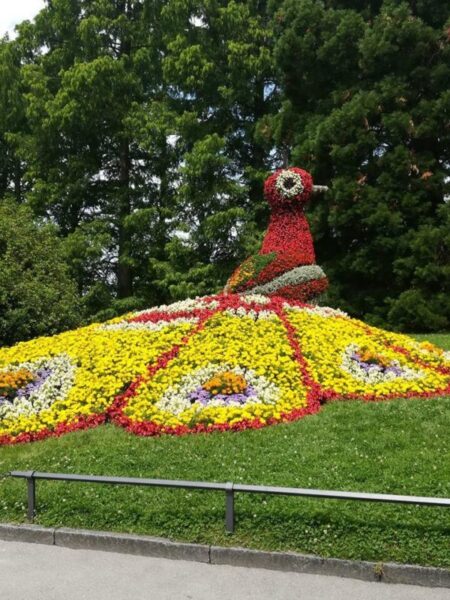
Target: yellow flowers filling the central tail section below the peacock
x=261, y=346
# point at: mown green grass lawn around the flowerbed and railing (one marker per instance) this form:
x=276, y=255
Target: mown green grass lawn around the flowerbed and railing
x=402, y=446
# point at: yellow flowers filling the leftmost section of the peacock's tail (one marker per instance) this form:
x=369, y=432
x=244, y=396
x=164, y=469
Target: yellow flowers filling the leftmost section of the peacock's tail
x=105, y=362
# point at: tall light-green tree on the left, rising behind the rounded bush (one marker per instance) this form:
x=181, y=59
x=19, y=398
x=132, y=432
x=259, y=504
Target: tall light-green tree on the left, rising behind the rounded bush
x=92, y=67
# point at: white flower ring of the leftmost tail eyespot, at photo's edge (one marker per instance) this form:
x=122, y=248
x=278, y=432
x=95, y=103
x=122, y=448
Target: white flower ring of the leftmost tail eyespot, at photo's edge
x=55, y=387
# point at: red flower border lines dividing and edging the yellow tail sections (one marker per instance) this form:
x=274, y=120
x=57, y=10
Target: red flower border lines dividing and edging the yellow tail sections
x=316, y=395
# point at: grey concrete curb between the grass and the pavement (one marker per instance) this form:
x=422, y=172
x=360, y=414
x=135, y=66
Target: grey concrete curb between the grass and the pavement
x=240, y=557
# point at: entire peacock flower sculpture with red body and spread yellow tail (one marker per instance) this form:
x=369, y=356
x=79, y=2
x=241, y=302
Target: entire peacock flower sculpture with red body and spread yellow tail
x=260, y=353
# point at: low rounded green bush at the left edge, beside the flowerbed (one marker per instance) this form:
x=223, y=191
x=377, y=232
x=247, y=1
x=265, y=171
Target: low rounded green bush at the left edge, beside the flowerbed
x=37, y=295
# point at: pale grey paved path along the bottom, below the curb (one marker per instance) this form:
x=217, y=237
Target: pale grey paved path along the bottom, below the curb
x=39, y=572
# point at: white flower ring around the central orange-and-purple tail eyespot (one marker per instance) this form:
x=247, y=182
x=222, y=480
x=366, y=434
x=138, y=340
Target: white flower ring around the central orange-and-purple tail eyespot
x=177, y=397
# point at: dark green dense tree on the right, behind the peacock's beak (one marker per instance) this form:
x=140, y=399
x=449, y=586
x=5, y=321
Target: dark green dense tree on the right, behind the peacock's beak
x=368, y=115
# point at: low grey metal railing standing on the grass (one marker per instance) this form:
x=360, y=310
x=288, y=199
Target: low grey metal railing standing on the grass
x=229, y=488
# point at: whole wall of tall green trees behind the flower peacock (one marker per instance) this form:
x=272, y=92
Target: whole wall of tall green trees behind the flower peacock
x=145, y=130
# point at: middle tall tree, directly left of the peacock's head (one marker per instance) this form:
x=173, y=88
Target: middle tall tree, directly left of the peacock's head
x=219, y=73
